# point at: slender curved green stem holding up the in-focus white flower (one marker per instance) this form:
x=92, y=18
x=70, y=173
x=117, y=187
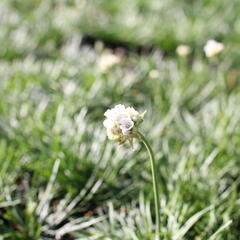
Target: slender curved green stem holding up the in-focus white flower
x=155, y=183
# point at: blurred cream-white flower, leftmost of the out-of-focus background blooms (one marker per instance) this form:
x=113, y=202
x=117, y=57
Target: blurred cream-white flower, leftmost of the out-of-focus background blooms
x=107, y=60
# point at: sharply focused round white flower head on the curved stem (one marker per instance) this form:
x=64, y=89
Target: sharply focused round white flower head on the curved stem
x=121, y=123
